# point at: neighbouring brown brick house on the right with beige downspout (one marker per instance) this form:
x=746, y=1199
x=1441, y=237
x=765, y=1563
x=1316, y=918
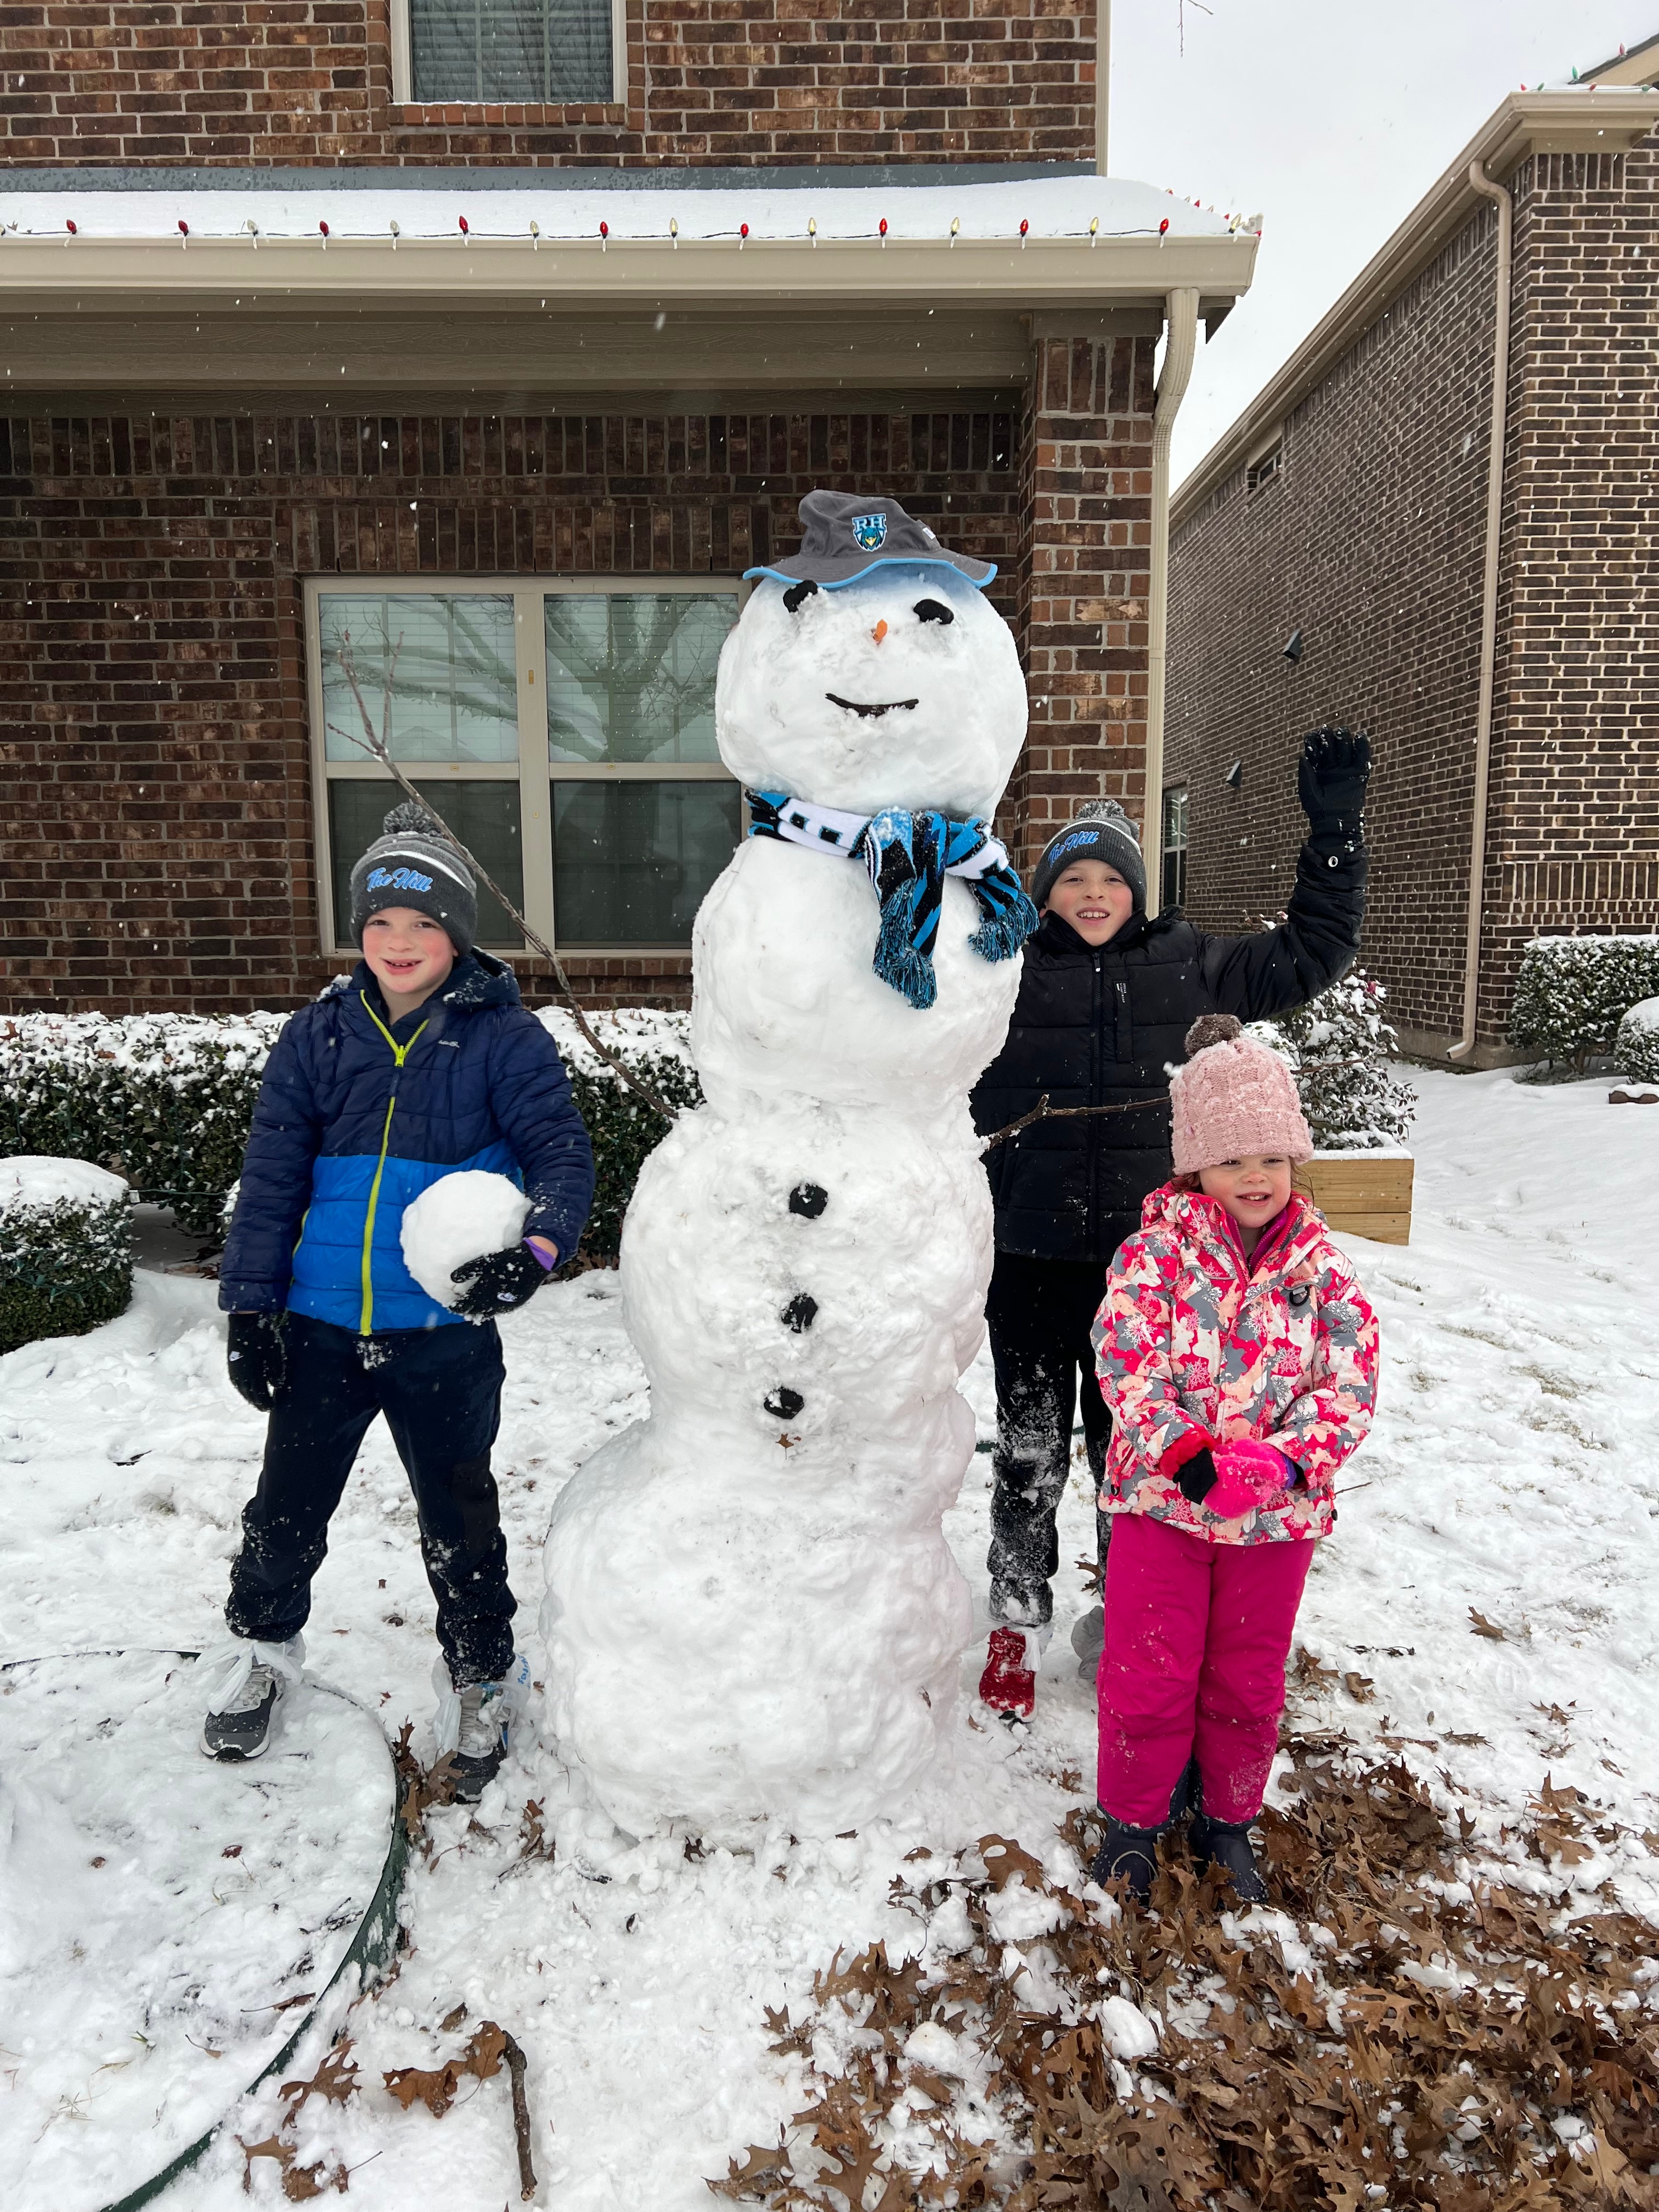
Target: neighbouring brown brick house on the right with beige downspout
x=1353, y=503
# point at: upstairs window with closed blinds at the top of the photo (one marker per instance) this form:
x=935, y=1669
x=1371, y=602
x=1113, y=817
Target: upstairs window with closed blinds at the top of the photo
x=536, y=52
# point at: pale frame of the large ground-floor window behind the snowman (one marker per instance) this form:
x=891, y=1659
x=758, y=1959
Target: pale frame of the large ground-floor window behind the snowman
x=534, y=773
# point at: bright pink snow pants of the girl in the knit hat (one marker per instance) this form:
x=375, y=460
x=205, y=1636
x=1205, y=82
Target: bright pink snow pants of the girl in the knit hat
x=1196, y=1665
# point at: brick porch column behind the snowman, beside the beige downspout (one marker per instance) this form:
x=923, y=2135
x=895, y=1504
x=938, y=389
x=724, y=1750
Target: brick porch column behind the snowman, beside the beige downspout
x=1087, y=539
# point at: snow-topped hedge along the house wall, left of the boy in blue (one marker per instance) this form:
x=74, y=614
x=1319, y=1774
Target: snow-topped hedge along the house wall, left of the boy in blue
x=160, y=1098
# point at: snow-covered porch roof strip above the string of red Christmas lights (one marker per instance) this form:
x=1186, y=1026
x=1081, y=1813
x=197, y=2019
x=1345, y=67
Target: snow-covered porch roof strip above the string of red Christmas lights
x=404, y=207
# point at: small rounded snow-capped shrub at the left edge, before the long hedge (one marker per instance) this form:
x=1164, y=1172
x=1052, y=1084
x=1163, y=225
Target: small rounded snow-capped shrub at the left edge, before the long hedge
x=65, y=1249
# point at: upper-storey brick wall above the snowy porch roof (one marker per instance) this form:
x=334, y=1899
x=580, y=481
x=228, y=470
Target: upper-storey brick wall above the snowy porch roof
x=94, y=83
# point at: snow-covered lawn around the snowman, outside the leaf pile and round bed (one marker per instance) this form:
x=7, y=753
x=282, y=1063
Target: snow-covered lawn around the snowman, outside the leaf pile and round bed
x=1512, y=1474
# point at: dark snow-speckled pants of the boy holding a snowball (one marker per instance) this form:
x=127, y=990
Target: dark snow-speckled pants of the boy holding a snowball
x=441, y=1395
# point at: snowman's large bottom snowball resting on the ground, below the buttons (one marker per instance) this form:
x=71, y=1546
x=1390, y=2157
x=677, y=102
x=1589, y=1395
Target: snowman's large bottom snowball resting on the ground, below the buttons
x=764, y=1653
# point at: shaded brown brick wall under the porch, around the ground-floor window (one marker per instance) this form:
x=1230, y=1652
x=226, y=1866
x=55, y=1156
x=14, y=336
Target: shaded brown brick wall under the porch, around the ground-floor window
x=156, y=775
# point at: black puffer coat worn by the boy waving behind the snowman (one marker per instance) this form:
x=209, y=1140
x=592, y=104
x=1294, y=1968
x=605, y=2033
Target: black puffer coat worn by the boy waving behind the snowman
x=1098, y=1027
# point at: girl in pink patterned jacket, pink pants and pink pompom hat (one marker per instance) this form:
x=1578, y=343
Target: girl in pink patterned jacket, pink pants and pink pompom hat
x=1238, y=1355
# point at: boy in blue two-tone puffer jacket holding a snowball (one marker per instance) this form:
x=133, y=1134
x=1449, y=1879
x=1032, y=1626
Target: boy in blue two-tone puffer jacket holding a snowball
x=415, y=1067
